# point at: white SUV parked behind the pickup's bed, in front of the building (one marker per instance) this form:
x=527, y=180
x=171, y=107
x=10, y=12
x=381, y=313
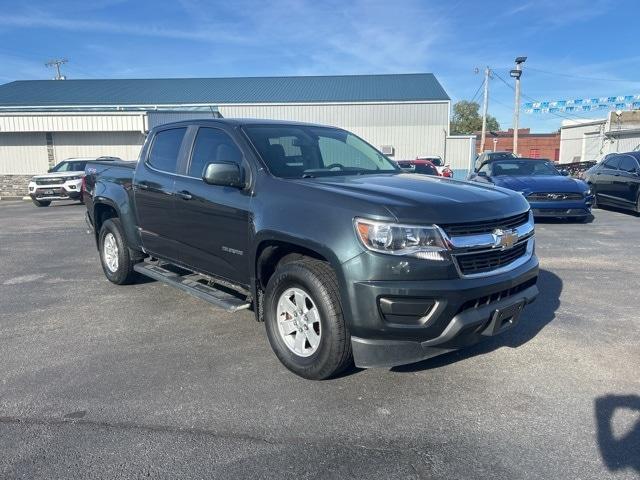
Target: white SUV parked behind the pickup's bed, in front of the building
x=63, y=182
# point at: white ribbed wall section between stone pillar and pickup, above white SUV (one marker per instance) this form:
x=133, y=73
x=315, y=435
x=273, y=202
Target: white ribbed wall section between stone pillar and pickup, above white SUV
x=125, y=145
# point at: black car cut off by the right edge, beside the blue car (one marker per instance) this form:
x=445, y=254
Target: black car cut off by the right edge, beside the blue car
x=616, y=181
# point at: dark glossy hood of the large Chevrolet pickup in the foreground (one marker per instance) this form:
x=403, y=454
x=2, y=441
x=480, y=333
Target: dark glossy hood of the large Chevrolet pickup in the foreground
x=415, y=198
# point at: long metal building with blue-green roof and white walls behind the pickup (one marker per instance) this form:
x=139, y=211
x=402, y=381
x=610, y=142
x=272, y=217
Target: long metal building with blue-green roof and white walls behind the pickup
x=45, y=121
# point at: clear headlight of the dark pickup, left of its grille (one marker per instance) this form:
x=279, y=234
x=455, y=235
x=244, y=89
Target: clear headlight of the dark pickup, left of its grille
x=426, y=242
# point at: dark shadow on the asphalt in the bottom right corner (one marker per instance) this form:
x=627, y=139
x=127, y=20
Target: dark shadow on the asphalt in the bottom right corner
x=622, y=451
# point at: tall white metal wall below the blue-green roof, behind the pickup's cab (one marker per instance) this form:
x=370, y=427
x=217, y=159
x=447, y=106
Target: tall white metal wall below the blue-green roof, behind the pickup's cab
x=411, y=128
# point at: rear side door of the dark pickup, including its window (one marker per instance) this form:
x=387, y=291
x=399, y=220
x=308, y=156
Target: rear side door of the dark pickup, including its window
x=154, y=189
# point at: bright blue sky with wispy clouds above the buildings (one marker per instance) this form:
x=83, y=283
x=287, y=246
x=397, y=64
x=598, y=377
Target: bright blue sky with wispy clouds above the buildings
x=575, y=48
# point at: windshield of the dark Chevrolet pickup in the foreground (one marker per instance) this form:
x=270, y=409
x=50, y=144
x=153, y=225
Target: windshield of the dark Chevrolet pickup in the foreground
x=298, y=151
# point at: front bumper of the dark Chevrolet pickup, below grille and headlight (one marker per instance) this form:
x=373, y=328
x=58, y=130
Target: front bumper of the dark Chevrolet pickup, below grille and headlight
x=463, y=313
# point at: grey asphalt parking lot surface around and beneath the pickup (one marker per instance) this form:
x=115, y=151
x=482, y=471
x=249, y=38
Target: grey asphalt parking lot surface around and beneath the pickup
x=101, y=381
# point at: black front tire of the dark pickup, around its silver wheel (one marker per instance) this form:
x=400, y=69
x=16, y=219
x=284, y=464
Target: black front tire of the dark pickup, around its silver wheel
x=318, y=280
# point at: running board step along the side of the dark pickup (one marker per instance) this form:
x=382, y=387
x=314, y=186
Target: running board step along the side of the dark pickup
x=190, y=284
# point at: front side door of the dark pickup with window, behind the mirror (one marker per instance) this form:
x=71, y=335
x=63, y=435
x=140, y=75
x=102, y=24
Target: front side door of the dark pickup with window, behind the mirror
x=214, y=220
